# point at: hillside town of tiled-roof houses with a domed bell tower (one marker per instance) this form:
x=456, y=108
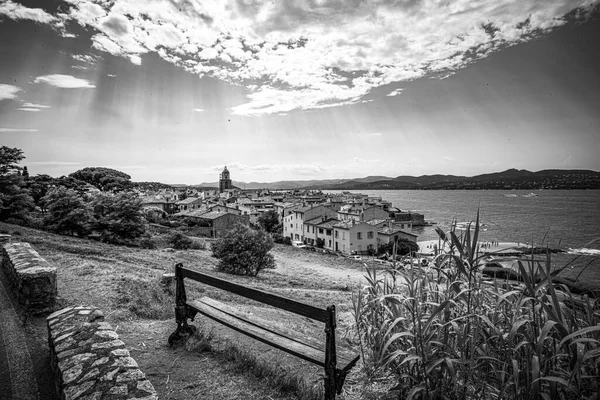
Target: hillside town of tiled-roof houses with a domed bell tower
x=348, y=223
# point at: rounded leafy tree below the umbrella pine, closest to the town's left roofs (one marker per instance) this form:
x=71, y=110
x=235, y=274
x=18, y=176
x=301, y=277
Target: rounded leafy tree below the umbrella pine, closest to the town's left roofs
x=119, y=217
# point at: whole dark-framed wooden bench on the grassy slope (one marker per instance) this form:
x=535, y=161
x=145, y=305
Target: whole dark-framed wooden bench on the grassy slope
x=336, y=364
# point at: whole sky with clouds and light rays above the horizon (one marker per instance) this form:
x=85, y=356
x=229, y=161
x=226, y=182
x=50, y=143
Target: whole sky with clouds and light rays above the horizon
x=174, y=90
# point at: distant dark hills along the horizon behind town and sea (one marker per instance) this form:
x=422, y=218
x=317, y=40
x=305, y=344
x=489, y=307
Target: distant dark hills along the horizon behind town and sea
x=506, y=180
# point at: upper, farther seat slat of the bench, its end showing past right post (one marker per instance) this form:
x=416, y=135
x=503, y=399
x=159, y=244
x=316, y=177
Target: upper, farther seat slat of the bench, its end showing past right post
x=344, y=357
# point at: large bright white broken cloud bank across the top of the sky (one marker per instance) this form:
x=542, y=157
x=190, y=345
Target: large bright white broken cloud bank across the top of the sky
x=306, y=54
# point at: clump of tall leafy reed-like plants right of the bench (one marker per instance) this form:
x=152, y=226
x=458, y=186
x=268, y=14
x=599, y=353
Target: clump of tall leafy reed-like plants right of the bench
x=444, y=332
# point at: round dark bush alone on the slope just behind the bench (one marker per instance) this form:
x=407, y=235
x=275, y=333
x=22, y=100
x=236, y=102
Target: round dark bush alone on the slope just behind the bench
x=243, y=251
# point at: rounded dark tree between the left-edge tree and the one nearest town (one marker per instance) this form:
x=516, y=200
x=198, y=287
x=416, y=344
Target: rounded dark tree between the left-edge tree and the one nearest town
x=68, y=212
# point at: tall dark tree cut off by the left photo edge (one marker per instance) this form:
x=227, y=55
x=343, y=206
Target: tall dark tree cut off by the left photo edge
x=15, y=201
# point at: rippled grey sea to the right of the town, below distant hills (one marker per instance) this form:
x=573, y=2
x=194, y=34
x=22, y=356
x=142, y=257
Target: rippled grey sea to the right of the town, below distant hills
x=562, y=219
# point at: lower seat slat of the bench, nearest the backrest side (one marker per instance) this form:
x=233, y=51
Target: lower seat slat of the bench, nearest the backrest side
x=282, y=343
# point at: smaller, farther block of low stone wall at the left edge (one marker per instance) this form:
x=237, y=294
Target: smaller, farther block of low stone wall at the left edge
x=32, y=277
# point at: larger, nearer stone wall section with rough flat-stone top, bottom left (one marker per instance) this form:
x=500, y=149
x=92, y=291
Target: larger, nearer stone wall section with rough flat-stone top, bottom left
x=89, y=361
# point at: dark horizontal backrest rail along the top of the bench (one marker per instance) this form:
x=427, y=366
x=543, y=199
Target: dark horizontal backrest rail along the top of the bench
x=271, y=299
